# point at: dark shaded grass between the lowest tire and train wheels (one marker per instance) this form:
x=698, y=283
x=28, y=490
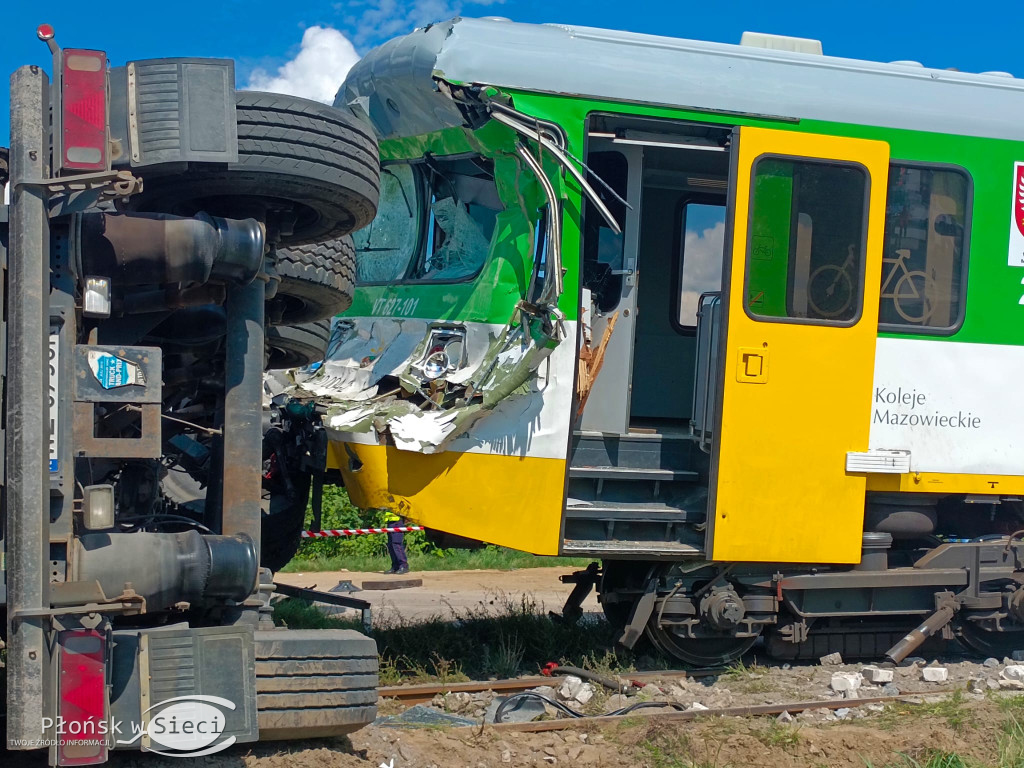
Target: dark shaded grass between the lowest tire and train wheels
x=517, y=639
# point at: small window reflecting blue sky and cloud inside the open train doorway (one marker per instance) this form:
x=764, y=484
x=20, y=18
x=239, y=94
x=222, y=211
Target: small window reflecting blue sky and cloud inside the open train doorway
x=701, y=257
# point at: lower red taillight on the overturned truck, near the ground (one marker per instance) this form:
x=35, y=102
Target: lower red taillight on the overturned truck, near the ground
x=82, y=724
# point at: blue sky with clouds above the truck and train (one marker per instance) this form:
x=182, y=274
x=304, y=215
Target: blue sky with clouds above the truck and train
x=264, y=36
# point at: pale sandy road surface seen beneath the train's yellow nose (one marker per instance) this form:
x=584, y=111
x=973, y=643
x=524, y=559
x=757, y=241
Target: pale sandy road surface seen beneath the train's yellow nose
x=446, y=591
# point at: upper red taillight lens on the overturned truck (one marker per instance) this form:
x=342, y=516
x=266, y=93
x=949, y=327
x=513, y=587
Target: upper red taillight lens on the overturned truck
x=83, y=113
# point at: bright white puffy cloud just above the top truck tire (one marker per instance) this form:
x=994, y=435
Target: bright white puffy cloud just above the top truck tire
x=317, y=72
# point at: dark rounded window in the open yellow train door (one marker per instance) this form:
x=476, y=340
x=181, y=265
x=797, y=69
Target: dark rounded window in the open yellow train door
x=806, y=251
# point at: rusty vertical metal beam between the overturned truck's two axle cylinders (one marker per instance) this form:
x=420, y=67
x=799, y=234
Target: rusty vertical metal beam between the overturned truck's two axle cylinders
x=243, y=438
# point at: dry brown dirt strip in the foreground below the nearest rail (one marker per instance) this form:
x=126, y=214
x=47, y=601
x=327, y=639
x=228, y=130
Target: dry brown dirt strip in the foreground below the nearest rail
x=877, y=741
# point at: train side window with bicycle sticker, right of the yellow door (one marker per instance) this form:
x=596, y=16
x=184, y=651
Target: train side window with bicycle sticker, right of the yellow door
x=924, y=270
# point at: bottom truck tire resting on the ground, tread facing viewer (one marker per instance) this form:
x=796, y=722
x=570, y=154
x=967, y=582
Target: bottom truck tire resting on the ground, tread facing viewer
x=315, y=684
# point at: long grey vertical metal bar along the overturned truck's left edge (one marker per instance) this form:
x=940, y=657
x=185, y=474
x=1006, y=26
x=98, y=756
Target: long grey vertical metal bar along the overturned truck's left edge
x=28, y=479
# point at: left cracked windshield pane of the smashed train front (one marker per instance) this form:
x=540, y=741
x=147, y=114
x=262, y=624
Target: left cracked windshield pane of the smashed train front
x=386, y=247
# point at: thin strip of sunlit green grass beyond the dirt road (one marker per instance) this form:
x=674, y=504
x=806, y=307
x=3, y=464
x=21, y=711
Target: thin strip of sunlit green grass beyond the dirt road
x=489, y=559
